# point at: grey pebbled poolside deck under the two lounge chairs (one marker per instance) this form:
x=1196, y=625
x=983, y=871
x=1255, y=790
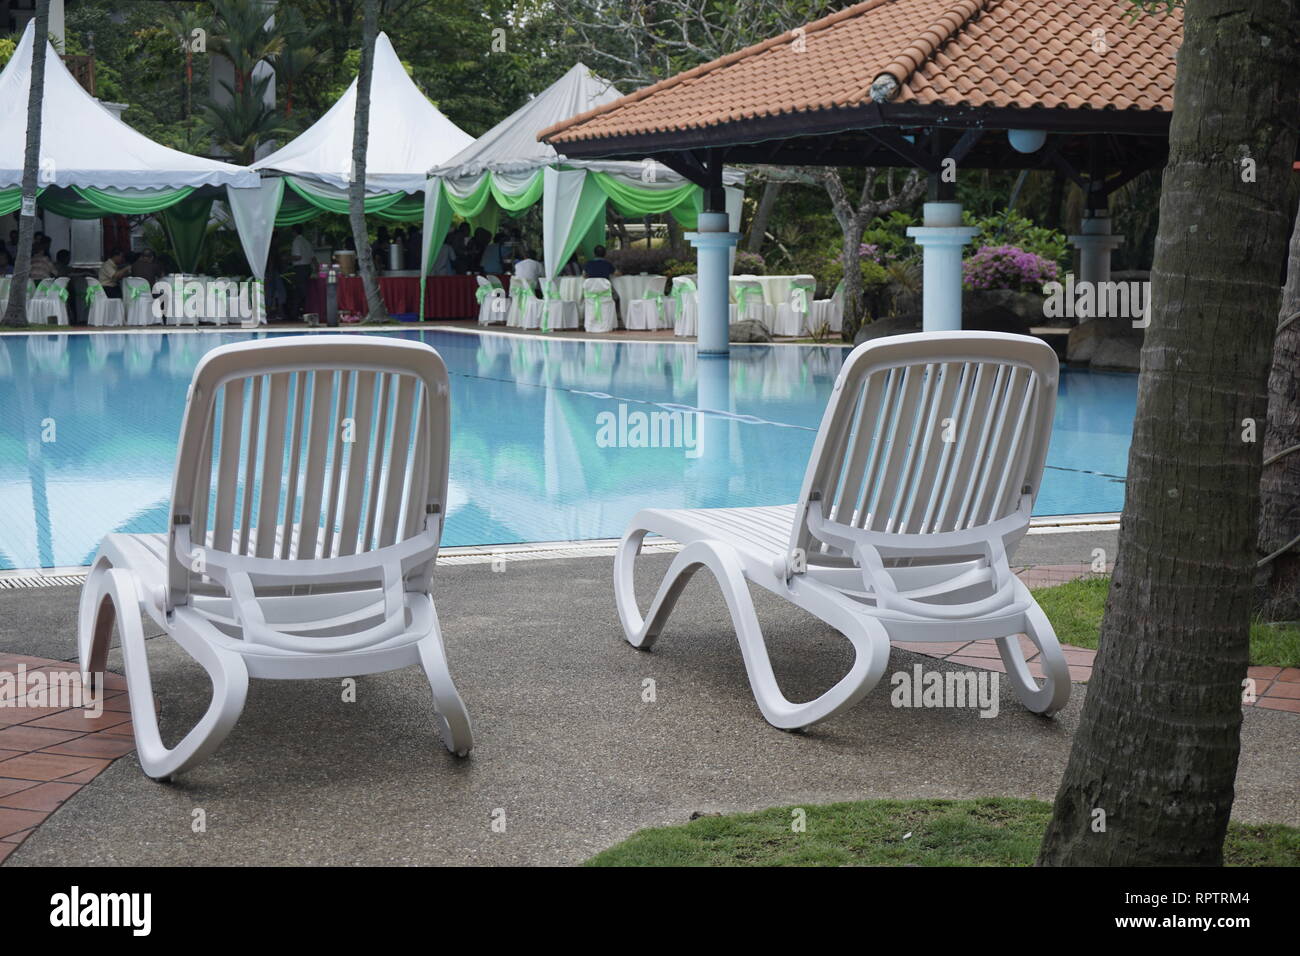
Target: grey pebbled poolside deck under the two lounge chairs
x=566, y=747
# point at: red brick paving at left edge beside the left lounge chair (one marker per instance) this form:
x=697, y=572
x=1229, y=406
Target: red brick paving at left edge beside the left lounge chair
x=50, y=754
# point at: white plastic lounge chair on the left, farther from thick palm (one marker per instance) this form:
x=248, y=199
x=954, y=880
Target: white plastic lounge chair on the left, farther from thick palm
x=307, y=507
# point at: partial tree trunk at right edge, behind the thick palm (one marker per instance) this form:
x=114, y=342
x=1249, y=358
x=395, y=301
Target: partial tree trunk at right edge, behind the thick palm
x=1280, y=491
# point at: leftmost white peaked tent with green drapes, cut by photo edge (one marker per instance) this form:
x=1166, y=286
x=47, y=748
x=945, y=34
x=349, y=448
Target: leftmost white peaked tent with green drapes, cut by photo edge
x=94, y=166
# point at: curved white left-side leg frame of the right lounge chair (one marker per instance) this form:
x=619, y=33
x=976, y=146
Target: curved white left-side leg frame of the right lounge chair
x=872, y=647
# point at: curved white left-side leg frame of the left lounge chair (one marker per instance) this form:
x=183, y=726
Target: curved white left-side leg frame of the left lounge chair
x=111, y=595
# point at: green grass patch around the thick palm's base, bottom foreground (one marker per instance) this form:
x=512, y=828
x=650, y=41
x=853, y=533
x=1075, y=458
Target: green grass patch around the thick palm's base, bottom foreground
x=891, y=833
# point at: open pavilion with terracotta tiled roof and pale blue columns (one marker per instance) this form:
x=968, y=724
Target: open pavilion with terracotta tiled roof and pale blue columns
x=933, y=85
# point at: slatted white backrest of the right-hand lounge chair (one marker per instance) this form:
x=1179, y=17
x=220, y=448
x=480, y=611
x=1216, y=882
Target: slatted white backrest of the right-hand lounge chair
x=931, y=434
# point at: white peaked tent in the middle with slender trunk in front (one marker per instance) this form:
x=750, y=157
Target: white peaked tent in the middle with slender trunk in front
x=408, y=135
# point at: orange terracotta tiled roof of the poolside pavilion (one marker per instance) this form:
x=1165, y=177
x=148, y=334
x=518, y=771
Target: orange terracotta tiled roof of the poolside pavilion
x=1002, y=54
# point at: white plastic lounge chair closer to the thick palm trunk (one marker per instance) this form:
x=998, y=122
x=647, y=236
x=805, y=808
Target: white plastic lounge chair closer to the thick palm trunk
x=921, y=482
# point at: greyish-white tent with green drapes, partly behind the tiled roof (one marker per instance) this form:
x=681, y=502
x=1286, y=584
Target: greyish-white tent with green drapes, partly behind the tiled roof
x=508, y=168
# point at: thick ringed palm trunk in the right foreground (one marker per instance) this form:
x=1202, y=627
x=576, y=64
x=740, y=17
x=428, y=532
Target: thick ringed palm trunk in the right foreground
x=1150, y=777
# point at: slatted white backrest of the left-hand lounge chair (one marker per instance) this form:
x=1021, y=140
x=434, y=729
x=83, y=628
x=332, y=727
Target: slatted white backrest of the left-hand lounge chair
x=311, y=448
